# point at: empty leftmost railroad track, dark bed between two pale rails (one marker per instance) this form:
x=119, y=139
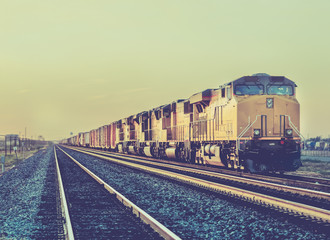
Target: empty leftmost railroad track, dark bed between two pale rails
x=94, y=210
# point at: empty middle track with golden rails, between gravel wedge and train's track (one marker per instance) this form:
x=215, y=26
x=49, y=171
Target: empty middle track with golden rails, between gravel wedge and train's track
x=293, y=207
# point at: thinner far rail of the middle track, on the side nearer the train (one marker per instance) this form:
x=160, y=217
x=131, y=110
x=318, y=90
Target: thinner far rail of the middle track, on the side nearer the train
x=279, y=187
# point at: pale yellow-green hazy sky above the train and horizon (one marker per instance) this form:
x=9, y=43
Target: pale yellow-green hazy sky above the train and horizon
x=72, y=66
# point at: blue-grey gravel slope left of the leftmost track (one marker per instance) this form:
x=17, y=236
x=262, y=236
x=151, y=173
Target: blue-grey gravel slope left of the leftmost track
x=20, y=196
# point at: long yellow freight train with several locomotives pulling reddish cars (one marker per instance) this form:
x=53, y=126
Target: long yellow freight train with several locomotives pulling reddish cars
x=251, y=124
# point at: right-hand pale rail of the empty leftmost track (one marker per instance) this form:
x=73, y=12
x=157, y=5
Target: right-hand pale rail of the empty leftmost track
x=145, y=217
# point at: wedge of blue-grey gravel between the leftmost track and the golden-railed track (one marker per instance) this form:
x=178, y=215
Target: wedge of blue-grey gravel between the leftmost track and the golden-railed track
x=190, y=213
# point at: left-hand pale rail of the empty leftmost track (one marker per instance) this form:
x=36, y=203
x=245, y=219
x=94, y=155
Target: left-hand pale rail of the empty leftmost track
x=64, y=206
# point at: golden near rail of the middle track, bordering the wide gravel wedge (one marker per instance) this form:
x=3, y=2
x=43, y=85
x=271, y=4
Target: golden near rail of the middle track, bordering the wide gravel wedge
x=245, y=195
